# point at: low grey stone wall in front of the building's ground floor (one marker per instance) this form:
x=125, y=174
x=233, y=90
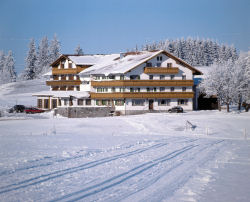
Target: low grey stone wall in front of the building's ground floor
x=79, y=112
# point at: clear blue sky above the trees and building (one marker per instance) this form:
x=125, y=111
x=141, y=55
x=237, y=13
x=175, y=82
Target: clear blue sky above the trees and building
x=113, y=26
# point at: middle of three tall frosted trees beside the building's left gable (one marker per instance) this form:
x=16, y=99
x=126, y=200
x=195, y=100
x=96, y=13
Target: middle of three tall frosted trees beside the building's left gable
x=43, y=61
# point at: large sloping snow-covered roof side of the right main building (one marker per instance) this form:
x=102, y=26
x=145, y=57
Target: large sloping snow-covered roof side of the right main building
x=120, y=65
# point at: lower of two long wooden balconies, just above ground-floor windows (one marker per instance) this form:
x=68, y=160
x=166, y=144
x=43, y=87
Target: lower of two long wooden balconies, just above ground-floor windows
x=142, y=95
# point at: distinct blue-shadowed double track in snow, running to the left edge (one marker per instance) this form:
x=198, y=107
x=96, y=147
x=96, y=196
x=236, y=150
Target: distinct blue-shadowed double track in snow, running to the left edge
x=52, y=175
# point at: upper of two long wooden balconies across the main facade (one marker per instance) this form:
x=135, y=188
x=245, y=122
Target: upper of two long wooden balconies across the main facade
x=142, y=83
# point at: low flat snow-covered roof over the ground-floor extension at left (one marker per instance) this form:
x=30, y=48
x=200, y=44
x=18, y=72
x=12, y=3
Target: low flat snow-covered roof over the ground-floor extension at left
x=77, y=94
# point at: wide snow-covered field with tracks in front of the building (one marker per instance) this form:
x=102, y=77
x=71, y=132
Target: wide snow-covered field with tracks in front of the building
x=150, y=157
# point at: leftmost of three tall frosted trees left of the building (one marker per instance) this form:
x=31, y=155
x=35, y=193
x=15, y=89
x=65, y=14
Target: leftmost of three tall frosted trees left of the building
x=29, y=71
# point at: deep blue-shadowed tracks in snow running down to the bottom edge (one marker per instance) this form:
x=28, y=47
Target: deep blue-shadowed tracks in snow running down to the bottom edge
x=116, y=180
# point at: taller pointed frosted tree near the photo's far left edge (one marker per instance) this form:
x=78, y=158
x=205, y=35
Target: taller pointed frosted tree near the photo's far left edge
x=8, y=71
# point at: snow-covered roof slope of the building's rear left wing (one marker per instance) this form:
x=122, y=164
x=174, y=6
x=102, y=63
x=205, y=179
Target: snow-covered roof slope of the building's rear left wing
x=92, y=59
